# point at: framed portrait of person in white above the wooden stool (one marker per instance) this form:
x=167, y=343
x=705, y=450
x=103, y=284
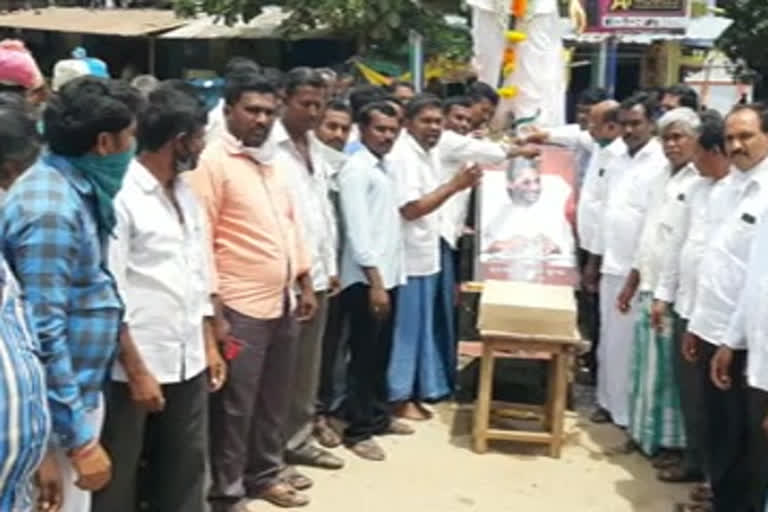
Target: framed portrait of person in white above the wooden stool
x=525, y=220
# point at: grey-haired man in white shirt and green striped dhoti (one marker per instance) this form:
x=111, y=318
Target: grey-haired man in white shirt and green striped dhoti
x=655, y=419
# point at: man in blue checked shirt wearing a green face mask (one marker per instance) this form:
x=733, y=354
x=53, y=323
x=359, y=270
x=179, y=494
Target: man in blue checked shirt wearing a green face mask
x=55, y=226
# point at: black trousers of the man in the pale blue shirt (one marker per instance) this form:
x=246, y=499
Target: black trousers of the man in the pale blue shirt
x=370, y=344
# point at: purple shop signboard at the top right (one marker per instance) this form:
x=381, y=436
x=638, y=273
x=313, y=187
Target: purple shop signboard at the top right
x=637, y=15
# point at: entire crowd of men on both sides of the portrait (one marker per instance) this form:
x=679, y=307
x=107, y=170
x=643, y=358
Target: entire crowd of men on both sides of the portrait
x=224, y=296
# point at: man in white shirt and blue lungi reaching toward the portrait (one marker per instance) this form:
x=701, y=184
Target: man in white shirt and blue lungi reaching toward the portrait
x=419, y=369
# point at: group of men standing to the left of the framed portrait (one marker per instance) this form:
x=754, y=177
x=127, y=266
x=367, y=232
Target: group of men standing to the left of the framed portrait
x=216, y=295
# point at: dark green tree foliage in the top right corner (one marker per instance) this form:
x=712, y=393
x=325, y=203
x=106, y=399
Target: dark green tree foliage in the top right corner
x=747, y=38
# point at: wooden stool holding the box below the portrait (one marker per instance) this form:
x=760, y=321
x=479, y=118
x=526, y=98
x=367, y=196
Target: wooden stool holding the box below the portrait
x=559, y=351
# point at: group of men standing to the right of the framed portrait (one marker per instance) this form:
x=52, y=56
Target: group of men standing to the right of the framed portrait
x=673, y=240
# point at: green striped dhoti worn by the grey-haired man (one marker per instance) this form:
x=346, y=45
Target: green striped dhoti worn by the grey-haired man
x=655, y=417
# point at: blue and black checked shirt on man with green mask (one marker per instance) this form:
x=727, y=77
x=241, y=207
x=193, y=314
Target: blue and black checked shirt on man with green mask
x=51, y=241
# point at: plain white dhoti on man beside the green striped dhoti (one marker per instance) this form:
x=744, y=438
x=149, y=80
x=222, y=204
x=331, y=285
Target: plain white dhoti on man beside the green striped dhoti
x=614, y=354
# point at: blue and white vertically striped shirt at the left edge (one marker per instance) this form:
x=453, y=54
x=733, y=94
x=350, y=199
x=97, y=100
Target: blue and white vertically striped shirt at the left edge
x=24, y=420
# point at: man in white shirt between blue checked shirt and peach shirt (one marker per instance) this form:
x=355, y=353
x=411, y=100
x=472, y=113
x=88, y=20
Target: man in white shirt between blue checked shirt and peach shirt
x=168, y=359
